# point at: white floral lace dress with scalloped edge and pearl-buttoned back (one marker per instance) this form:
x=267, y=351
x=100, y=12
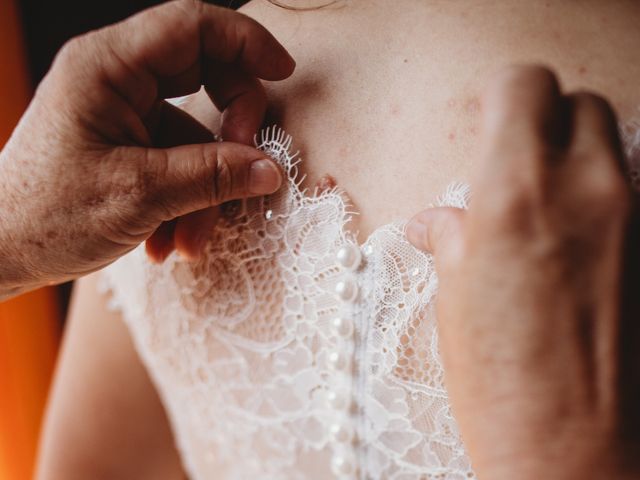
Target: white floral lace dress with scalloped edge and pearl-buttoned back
x=291, y=352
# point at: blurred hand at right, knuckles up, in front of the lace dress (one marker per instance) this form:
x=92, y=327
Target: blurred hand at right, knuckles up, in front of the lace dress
x=538, y=329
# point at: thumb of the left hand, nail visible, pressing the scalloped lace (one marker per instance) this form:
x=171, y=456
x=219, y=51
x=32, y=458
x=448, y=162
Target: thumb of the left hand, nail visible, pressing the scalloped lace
x=184, y=179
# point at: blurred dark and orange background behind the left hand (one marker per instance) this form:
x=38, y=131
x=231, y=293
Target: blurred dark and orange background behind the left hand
x=31, y=32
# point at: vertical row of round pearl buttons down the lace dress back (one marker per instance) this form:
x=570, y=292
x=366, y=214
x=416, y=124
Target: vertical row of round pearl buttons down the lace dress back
x=343, y=463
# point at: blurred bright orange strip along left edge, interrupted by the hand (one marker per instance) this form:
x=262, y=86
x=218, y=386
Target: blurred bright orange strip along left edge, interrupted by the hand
x=28, y=324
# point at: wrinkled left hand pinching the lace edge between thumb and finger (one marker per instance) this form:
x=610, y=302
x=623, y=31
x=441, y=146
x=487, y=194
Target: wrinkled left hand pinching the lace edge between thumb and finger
x=81, y=185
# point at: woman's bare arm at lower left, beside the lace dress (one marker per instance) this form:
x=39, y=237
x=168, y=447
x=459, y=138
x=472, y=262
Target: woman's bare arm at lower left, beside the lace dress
x=104, y=418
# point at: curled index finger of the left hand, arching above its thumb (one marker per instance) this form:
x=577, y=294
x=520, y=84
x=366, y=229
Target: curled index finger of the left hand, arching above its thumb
x=165, y=51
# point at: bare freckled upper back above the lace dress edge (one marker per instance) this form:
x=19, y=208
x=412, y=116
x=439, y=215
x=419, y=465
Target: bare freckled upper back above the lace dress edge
x=449, y=60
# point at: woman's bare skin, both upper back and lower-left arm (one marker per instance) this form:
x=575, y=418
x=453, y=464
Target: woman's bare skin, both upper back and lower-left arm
x=386, y=100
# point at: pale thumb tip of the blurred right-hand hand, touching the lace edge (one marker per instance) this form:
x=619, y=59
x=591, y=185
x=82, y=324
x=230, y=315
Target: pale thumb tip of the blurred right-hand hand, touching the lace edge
x=436, y=230
